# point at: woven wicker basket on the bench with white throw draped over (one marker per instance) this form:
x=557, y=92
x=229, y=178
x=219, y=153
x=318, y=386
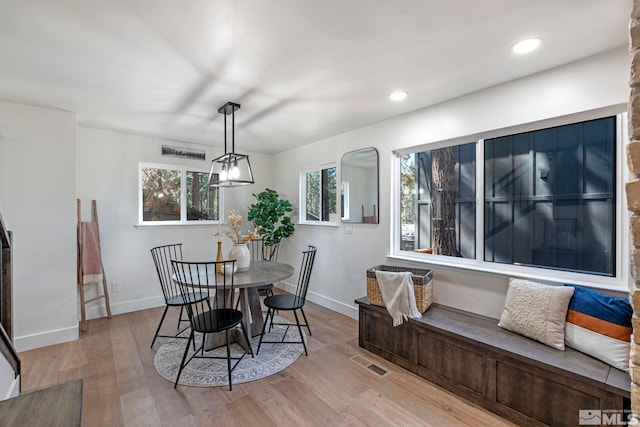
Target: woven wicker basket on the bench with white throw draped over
x=422, y=285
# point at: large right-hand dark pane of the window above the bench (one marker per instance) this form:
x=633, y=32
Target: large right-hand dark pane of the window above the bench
x=550, y=198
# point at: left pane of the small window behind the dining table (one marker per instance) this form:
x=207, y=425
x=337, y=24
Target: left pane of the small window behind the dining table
x=160, y=194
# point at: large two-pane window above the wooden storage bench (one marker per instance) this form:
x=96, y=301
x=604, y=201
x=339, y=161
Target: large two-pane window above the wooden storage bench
x=548, y=199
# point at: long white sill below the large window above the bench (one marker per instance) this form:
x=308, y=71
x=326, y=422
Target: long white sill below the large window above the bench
x=616, y=284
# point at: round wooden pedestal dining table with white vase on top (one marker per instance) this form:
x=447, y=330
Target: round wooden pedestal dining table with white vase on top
x=247, y=282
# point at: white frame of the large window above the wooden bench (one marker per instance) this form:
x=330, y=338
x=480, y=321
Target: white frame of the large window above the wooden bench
x=618, y=282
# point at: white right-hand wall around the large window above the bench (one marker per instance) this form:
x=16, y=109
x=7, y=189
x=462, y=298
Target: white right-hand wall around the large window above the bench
x=342, y=259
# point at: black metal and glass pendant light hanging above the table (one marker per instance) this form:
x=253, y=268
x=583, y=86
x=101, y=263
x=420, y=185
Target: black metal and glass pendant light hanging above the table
x=232, y=169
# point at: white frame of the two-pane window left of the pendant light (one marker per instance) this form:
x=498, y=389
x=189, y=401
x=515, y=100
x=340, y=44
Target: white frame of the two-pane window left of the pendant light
x=183, y=198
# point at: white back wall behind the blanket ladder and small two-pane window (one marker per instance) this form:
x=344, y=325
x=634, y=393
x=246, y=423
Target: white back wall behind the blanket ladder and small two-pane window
x=108, y=172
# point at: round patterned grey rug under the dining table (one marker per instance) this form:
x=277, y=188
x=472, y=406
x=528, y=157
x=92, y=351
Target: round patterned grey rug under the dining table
x=213, y=372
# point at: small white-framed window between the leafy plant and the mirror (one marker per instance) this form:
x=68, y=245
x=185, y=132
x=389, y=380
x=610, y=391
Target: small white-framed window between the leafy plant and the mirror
x=318, y=196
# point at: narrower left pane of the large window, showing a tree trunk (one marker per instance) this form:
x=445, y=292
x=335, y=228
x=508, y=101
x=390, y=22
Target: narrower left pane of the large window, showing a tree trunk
x=438, y=207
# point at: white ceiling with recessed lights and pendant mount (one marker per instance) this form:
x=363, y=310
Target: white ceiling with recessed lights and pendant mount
x=301, y=69
